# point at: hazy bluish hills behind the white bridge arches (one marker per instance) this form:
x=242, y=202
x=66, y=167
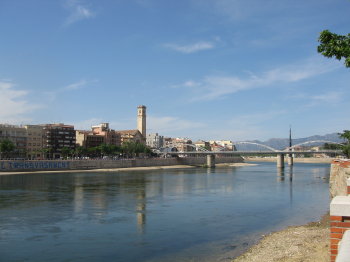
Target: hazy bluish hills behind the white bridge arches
x=282, y=143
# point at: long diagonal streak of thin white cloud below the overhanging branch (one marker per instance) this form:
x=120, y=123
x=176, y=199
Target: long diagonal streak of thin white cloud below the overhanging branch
x=214, y=87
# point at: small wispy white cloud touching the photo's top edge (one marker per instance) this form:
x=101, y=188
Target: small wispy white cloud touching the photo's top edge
x=78, y=11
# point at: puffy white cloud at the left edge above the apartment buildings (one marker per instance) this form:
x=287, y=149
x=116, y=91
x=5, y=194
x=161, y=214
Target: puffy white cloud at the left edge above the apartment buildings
x=13, y=104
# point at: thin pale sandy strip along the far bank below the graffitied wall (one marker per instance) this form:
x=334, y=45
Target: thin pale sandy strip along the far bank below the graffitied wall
x=125, y=169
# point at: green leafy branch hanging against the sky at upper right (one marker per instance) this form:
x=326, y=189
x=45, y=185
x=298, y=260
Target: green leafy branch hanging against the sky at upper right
x=333, y=45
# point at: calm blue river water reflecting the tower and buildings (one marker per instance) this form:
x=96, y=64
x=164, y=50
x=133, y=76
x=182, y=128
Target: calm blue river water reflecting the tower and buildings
x=165, y=215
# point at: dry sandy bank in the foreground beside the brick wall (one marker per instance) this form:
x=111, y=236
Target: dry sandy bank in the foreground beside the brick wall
x=307, y=243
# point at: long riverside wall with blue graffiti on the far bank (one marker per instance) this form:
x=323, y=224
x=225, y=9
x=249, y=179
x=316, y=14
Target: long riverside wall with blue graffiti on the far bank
x=42, y=165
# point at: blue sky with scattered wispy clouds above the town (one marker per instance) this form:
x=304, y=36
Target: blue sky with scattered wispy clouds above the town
x=205, y=69
